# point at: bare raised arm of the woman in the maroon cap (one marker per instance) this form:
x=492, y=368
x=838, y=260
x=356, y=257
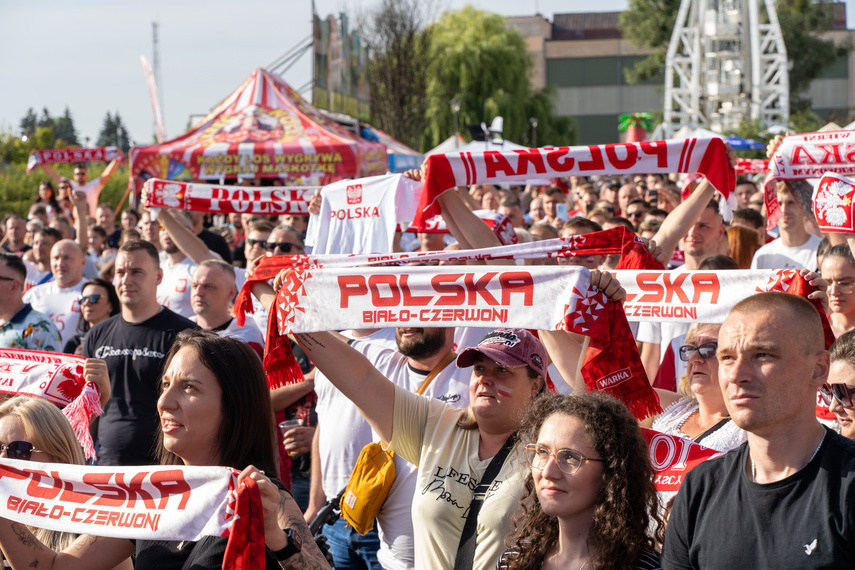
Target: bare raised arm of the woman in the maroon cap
x=355, y=377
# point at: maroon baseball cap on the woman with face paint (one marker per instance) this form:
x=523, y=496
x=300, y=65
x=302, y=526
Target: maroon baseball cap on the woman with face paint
x=511, y=348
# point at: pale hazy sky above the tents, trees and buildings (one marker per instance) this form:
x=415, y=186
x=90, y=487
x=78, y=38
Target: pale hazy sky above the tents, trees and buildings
x=86, y=54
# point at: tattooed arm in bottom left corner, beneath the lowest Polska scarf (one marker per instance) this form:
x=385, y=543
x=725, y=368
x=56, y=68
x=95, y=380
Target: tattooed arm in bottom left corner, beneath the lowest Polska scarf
x=23, y=550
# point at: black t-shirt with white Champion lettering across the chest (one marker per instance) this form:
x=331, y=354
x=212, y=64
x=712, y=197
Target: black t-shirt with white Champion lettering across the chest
x=135, y=354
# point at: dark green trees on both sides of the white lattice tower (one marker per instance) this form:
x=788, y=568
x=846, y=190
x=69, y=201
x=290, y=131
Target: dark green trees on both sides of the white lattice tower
x=649, y=24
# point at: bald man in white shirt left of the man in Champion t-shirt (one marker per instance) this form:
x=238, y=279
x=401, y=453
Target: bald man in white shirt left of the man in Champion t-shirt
x=58, y=299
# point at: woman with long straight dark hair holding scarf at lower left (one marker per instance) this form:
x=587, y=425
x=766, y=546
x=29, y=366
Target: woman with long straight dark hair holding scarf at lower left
x=214, y=409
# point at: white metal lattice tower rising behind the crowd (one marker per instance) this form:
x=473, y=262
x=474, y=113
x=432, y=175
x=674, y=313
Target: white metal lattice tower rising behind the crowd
x=726, y=62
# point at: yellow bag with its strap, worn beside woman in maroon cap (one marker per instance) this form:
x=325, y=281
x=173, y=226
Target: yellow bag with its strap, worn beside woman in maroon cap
x=374, y=473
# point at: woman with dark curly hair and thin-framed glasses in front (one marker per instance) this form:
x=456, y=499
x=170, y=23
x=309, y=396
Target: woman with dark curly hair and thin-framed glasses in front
x=589, y=501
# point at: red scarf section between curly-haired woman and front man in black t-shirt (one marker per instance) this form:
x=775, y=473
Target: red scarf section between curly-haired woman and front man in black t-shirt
x=672, y=458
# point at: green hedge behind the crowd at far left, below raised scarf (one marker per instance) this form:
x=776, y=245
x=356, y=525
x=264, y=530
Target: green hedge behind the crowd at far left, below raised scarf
x=18, y=189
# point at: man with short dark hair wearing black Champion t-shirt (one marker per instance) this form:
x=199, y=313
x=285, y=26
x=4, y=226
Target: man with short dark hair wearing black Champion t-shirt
x=134, y=344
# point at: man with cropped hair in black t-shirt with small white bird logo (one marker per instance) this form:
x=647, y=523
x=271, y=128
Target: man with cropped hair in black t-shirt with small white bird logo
x=783, y=499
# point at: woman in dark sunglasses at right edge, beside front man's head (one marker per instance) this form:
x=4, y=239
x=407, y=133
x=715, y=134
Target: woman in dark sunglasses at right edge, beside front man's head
x=839, y=392
